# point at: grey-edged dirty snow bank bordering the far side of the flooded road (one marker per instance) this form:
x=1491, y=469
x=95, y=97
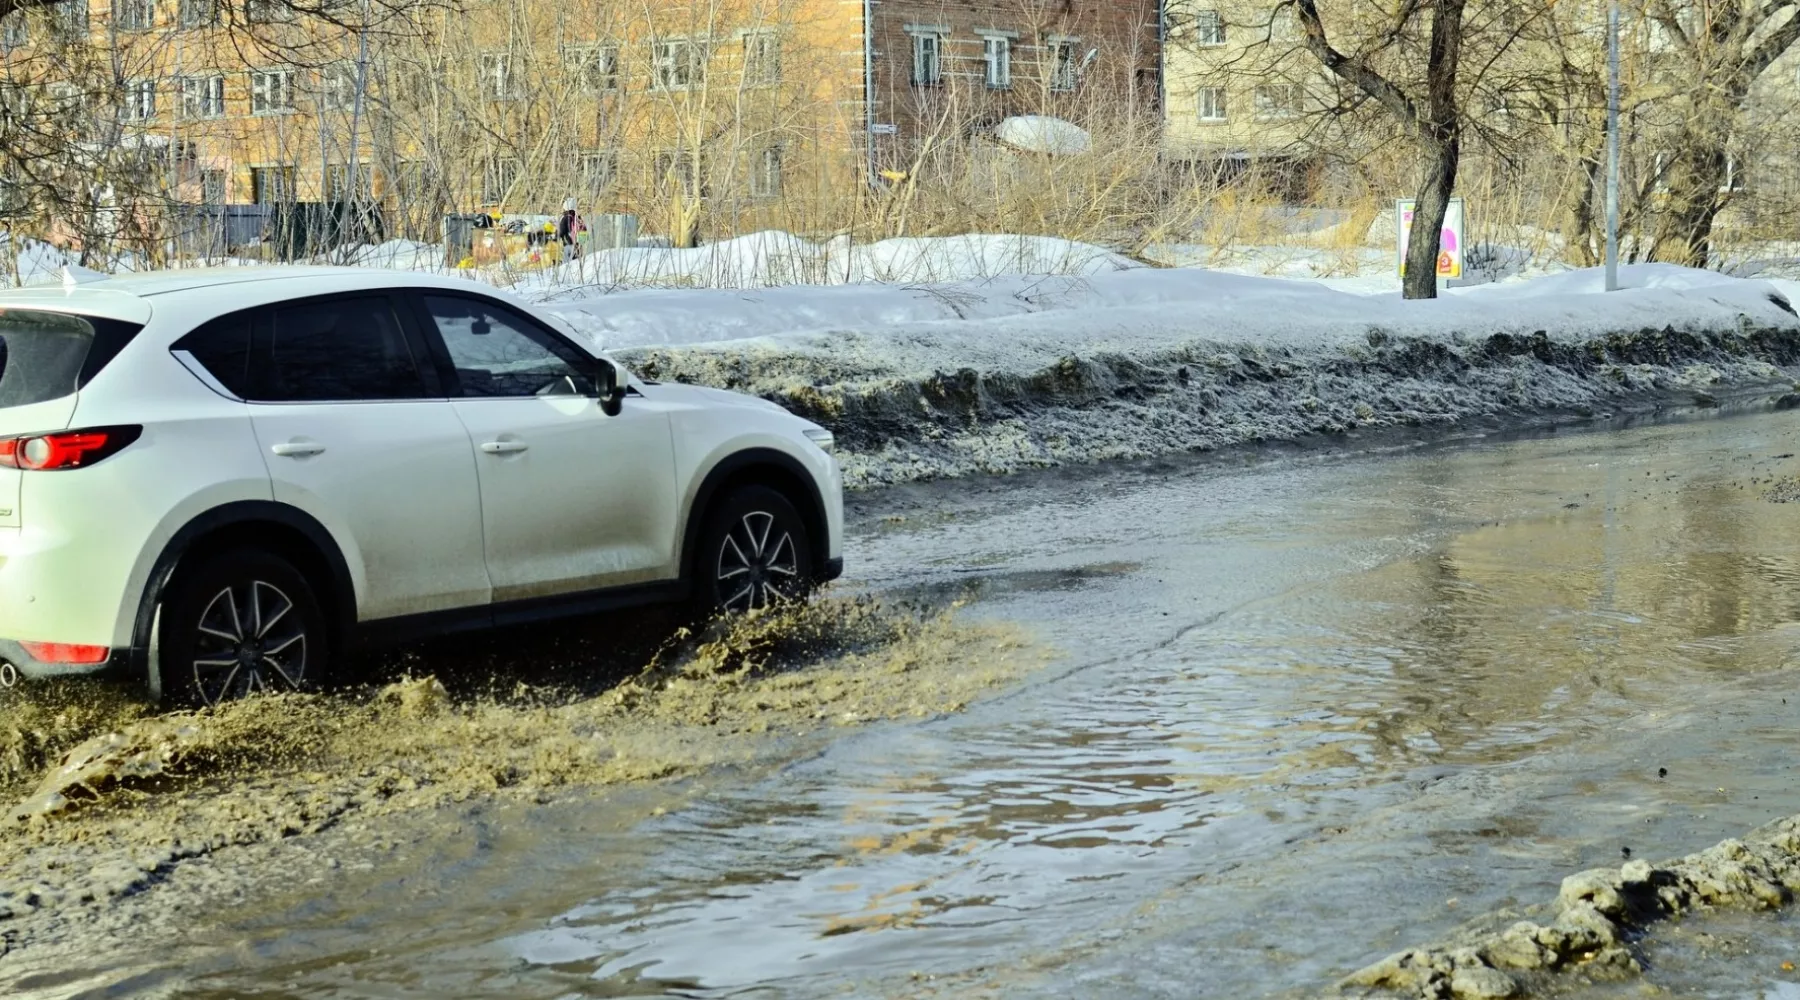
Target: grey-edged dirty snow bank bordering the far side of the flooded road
x=1011, y=375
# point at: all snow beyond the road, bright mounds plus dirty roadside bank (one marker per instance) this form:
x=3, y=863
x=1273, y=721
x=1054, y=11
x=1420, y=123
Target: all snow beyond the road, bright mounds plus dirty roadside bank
x=994, y=353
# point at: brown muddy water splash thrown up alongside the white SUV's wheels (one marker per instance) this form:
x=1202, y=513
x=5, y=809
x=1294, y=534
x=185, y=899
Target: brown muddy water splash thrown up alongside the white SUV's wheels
x=147, y=794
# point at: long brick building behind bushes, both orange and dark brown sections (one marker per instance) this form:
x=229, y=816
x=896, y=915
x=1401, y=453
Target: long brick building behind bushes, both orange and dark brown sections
x=652, y=107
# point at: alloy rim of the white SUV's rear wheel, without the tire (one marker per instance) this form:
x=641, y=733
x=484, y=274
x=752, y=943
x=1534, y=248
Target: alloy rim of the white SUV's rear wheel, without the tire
x=251, y=639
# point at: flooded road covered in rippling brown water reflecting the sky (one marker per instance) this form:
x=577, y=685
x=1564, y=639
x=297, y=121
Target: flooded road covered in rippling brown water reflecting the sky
x=1300, y=715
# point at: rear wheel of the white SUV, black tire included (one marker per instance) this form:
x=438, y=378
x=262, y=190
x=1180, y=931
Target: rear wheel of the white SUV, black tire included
x=282, y=641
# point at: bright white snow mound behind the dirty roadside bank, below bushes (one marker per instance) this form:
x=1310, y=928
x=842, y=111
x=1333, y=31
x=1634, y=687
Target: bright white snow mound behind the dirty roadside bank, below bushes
x=773, y=260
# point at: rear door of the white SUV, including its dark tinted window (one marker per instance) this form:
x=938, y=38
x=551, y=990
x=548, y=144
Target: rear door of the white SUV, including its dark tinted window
x=357, y=433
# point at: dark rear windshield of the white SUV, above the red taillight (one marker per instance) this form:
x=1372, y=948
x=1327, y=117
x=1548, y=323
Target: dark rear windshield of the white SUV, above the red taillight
x=53, y=355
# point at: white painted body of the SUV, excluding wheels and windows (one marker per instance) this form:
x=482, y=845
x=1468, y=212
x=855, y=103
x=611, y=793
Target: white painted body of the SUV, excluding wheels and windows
x=426, y=513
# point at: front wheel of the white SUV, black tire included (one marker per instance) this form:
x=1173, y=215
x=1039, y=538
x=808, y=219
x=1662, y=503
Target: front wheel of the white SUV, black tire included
x=755, y=551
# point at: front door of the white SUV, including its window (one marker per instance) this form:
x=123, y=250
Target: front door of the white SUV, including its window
x=571, y=499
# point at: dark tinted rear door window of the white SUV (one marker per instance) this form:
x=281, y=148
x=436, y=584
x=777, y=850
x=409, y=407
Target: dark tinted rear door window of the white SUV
x=339, y=350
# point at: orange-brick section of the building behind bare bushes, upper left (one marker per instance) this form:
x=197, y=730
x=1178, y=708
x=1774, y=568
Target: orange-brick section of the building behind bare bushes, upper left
x=503, y=105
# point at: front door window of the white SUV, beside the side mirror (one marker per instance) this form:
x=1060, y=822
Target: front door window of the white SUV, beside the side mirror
x=498, y=353
